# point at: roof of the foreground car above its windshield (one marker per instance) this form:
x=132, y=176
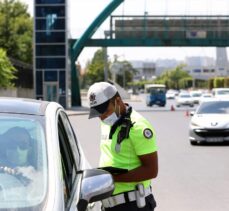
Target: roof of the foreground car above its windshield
x=22, y=106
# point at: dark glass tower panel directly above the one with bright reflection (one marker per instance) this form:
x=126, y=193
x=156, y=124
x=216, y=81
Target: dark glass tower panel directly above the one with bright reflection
x=50, y=10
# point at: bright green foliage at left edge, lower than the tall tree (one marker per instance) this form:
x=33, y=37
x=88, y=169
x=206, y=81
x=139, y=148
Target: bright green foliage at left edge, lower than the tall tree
x=6, y=70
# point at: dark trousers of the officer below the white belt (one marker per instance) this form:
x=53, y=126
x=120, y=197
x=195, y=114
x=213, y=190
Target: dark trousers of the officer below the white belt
x=132, y=206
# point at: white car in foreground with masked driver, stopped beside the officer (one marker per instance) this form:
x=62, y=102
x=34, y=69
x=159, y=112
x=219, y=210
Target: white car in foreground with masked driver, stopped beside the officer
x=42, y=165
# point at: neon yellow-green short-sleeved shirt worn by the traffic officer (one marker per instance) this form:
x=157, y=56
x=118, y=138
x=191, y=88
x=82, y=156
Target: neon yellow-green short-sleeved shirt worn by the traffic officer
x=141, y=141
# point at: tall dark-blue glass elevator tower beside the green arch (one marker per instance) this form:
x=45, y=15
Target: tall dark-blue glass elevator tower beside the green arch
x=51, y=51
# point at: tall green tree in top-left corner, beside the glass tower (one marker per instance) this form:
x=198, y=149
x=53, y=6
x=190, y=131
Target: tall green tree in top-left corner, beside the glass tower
x=16, y=30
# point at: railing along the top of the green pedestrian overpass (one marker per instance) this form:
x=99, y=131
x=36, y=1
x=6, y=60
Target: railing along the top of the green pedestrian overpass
x=169, y=27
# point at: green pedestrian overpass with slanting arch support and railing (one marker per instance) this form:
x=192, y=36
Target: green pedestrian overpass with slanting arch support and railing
x=149, y=31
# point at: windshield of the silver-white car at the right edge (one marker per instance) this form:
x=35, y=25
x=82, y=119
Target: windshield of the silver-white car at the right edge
x=220, y=107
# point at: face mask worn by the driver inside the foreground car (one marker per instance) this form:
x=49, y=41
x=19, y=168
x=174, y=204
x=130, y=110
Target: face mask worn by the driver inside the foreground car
x=17, y=156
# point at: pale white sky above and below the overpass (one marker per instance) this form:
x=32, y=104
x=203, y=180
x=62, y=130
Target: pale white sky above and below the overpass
x=82, y=12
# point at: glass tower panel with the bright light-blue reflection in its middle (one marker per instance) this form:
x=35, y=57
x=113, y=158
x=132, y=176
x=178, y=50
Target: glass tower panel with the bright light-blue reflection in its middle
x=50, y=23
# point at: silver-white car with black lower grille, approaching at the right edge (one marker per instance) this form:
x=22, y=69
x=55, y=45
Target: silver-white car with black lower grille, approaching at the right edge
x=210, y=122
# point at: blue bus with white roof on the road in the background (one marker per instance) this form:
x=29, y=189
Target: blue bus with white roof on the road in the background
x=155, y=94
